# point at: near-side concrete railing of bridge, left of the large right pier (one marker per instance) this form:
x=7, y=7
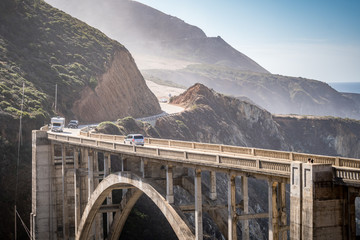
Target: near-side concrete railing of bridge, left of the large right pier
x=188, y=155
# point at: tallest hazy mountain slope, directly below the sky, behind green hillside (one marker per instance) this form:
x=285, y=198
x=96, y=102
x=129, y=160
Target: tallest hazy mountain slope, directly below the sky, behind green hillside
x=147, y=31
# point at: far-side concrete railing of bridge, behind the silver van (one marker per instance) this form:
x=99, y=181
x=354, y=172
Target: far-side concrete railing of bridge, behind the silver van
x=236, y=150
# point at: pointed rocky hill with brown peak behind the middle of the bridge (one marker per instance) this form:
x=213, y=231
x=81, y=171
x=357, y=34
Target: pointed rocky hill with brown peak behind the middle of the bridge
x=215, y=118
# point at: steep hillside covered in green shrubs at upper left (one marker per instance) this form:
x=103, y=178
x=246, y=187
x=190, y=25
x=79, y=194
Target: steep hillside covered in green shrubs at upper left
x=42, y=46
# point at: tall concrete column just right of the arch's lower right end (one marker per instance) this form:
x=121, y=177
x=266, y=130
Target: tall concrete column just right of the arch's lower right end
x=198, y=206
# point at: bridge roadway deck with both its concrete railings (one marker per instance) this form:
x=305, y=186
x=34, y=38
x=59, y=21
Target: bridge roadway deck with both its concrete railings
x=252, y=161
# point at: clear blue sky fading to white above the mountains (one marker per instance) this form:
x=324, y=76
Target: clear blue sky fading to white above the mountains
x=317, y=39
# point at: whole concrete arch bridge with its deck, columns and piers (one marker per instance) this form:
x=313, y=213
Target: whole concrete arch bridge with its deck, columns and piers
x=73, y=178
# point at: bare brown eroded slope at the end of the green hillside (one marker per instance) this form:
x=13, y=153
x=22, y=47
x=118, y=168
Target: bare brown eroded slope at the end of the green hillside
x=121, y=92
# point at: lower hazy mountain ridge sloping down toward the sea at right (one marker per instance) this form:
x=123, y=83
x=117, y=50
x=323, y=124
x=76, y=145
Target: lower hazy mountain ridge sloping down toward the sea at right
x=278, y=94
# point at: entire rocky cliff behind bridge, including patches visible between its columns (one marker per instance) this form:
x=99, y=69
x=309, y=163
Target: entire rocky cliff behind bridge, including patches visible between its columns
x=215, y=118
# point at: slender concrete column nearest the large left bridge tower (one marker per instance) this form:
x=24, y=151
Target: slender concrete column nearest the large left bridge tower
x=65, y=219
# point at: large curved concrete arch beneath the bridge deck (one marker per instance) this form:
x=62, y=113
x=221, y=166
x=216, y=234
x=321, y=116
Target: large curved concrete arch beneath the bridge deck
x=119, y=180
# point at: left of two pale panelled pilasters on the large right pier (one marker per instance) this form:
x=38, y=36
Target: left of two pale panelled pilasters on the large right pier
x=296, y=200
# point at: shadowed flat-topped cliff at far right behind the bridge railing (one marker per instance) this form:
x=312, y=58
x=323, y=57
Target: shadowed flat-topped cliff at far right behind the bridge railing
x=322, y=135
